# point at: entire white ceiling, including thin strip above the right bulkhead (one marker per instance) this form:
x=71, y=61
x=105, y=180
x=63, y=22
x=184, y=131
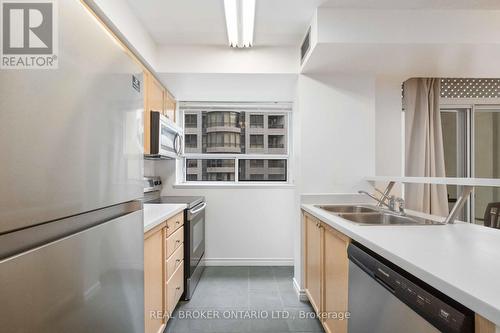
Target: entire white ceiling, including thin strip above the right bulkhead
x=278, y=22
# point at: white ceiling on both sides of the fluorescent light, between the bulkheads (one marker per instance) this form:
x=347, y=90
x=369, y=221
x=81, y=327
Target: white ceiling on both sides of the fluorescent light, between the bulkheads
x=202, y=22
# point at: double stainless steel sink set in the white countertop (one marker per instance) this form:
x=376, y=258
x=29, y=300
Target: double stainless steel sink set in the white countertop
x=371, y=215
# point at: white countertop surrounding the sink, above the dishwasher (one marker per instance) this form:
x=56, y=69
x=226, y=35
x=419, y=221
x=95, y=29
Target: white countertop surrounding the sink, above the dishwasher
x=462, y=260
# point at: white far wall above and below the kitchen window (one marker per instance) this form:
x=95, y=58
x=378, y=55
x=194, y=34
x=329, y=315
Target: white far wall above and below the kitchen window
x=245, y=226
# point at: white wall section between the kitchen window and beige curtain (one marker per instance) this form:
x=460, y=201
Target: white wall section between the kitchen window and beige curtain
x=335, y=135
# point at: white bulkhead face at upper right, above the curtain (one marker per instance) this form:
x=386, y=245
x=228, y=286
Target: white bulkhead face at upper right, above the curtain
x=408, y=26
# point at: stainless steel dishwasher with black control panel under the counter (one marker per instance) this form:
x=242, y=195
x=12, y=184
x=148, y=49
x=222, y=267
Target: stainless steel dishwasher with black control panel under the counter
x=383, y=298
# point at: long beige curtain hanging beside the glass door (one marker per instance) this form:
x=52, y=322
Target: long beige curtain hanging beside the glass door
x=424, y=146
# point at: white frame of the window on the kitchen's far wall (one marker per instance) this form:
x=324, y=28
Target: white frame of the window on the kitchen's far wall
x=284, y=107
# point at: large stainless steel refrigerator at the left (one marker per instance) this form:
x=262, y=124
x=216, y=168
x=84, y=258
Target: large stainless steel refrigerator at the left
x=71, y=232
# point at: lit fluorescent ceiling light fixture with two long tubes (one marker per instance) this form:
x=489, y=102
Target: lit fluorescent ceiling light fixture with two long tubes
x=240, y=19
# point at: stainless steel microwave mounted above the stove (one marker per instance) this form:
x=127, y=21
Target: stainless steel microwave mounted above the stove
x=166, y=138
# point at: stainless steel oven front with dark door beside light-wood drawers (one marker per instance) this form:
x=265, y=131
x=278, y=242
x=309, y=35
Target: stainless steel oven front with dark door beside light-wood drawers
x=194, y=247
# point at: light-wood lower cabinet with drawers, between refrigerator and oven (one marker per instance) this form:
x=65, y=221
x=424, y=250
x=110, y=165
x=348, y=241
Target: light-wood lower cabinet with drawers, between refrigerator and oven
x=163, y=272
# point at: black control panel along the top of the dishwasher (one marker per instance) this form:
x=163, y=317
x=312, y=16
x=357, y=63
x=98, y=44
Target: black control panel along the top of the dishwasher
x=438, y=309
